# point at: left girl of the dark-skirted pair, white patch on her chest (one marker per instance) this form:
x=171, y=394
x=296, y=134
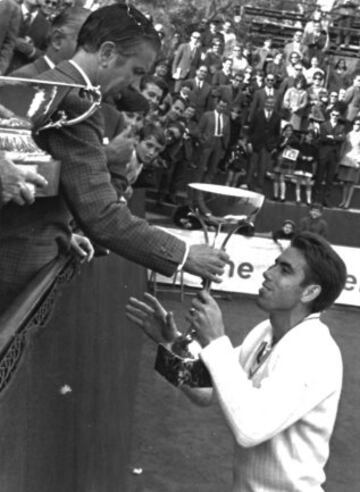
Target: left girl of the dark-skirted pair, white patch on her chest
x=287, y=155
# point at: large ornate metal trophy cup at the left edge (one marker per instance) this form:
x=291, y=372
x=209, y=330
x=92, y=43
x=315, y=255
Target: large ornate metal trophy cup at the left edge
x=28, y=105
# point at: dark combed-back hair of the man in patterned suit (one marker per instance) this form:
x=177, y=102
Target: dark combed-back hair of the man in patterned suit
x=122, y=24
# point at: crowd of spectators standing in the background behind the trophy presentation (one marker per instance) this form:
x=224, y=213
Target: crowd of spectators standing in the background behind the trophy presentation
x=215, y=108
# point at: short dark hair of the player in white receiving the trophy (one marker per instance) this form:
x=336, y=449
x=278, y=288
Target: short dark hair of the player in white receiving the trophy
x=323, y=266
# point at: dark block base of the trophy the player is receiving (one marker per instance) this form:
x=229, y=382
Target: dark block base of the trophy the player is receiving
x=179, y=371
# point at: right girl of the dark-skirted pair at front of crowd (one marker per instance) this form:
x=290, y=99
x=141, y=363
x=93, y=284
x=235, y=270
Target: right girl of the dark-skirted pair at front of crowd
x=306, y=166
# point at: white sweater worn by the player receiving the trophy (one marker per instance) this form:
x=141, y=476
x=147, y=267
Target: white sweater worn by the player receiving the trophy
x=283, y=416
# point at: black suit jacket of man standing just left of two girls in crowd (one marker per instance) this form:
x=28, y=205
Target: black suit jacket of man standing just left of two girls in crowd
x=263, y=132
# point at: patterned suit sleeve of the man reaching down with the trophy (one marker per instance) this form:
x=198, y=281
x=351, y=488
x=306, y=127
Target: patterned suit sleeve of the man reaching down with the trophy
x=85, y=184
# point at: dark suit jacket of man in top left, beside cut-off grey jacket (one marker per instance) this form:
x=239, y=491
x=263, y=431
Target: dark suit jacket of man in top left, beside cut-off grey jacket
x=38, y=31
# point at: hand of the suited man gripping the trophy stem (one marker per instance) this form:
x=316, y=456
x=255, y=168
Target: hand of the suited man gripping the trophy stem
x=206, y=262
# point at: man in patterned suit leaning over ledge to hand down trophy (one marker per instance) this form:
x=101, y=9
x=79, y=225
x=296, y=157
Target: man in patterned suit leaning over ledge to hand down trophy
x=31, y=237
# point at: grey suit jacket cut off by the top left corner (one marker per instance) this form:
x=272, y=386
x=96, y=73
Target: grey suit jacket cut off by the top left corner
x=10, y=16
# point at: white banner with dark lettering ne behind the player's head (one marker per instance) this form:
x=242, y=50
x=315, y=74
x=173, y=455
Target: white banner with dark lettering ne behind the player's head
x=251, y=256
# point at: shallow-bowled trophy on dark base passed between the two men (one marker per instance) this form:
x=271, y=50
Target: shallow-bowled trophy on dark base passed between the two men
x=226, y=209
